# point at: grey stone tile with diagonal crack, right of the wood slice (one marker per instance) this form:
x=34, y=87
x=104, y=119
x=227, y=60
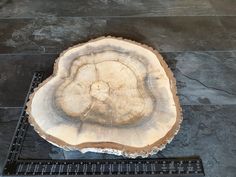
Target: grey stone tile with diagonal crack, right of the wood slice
x=205, y=77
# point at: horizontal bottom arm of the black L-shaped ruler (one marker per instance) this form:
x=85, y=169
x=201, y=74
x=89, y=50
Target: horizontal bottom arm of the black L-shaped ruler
x=134, y=167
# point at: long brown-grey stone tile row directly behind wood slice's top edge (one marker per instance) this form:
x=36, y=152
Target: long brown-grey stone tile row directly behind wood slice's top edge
x=166, y=34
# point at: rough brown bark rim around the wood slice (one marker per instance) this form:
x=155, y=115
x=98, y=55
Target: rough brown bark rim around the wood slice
x=111, y=147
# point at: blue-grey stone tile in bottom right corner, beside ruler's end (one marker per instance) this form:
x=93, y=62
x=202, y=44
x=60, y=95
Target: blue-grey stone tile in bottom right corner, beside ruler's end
x=208, y=131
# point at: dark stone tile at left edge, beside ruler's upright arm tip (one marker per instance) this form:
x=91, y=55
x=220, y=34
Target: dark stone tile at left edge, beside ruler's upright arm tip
x=16, y=72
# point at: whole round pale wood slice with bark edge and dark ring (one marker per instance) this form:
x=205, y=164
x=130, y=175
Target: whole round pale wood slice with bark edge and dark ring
x=108, y=95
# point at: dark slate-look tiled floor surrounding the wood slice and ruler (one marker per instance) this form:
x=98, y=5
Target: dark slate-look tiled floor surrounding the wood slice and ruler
x=196, y=38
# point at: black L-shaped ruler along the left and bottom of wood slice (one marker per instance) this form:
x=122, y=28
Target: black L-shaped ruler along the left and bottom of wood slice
x=14, y=165
